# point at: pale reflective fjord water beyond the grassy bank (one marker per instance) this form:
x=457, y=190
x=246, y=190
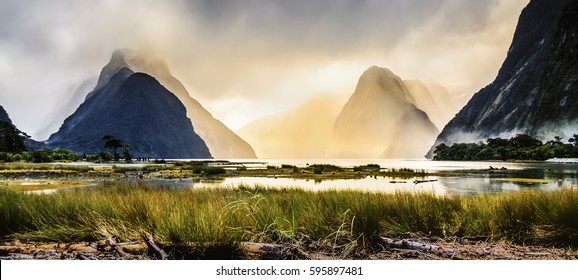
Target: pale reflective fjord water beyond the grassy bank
x=483, y=177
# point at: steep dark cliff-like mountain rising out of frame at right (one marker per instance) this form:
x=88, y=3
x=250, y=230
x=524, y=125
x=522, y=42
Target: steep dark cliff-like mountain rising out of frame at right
x=536, y=89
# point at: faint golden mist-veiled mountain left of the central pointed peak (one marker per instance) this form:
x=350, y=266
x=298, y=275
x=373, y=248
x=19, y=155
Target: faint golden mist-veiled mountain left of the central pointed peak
x=301, y=133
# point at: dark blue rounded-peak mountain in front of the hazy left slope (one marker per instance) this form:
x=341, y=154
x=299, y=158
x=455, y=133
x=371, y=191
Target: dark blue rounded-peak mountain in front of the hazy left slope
x=137, y=109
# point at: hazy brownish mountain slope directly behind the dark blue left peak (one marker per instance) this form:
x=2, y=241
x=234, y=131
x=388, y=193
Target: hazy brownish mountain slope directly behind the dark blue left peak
x=222, y=142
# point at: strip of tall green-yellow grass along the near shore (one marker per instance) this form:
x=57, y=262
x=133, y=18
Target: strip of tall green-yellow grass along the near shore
x=352, y=221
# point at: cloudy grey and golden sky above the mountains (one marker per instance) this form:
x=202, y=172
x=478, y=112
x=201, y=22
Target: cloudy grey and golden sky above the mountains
x=246, y=59
